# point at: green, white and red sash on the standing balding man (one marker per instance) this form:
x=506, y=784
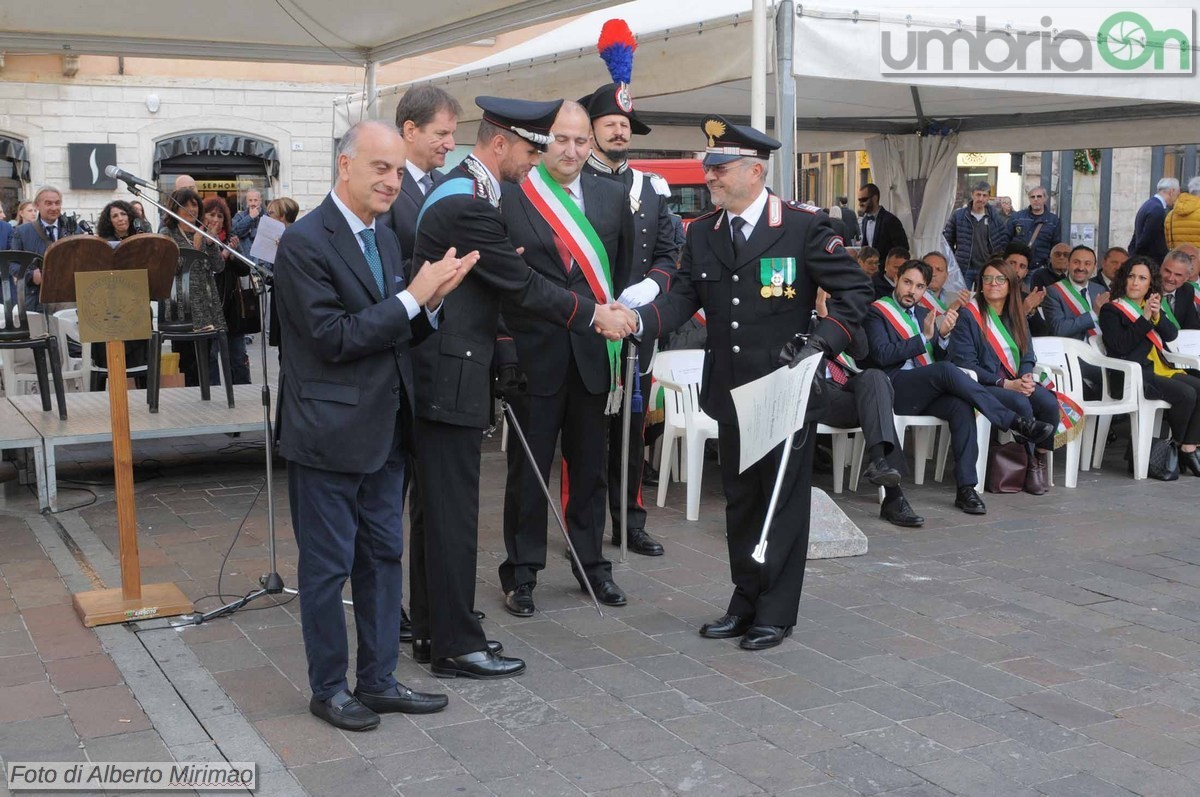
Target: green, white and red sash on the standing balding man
x=565, y=217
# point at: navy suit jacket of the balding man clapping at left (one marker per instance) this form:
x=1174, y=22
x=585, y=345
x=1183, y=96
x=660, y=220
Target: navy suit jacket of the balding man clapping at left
x=346, y=369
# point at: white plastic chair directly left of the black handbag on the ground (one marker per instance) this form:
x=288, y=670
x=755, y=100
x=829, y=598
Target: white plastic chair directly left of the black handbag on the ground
x=1145, y=415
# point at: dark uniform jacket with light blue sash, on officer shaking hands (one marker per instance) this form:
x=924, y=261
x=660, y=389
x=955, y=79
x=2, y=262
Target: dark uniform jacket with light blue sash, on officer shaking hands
x=455, y=368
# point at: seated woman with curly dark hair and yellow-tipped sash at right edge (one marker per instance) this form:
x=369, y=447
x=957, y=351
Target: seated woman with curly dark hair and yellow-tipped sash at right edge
x=1137, y=325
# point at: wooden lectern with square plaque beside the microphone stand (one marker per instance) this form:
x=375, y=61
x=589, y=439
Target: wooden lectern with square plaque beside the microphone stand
x=112, y=289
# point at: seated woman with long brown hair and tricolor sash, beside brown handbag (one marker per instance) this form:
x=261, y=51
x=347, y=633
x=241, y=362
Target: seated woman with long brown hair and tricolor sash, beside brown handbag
x=993, y=340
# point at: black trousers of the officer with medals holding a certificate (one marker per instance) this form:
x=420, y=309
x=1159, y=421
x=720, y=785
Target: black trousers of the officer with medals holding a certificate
x=771, y=592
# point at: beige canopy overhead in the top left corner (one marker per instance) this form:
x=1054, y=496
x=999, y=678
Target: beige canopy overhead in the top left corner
x=356, y=32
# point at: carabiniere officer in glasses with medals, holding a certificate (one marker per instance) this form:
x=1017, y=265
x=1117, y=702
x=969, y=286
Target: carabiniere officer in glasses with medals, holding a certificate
x=754, y=267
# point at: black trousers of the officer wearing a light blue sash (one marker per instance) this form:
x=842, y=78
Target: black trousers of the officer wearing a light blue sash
x=448, y=483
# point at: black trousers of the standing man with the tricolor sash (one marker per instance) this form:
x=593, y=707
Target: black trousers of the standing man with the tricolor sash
x=580, y=416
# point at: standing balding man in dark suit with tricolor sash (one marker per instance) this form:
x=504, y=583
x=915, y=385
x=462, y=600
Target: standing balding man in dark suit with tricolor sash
x=575, y=231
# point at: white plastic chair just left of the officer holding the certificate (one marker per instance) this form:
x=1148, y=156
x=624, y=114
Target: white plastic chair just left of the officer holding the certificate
x=680, y=374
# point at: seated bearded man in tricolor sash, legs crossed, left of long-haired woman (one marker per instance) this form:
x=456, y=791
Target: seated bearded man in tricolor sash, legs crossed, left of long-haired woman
x=910, y=345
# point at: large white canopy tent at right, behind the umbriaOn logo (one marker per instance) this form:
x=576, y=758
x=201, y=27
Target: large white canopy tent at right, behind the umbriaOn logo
x=694, y=59
